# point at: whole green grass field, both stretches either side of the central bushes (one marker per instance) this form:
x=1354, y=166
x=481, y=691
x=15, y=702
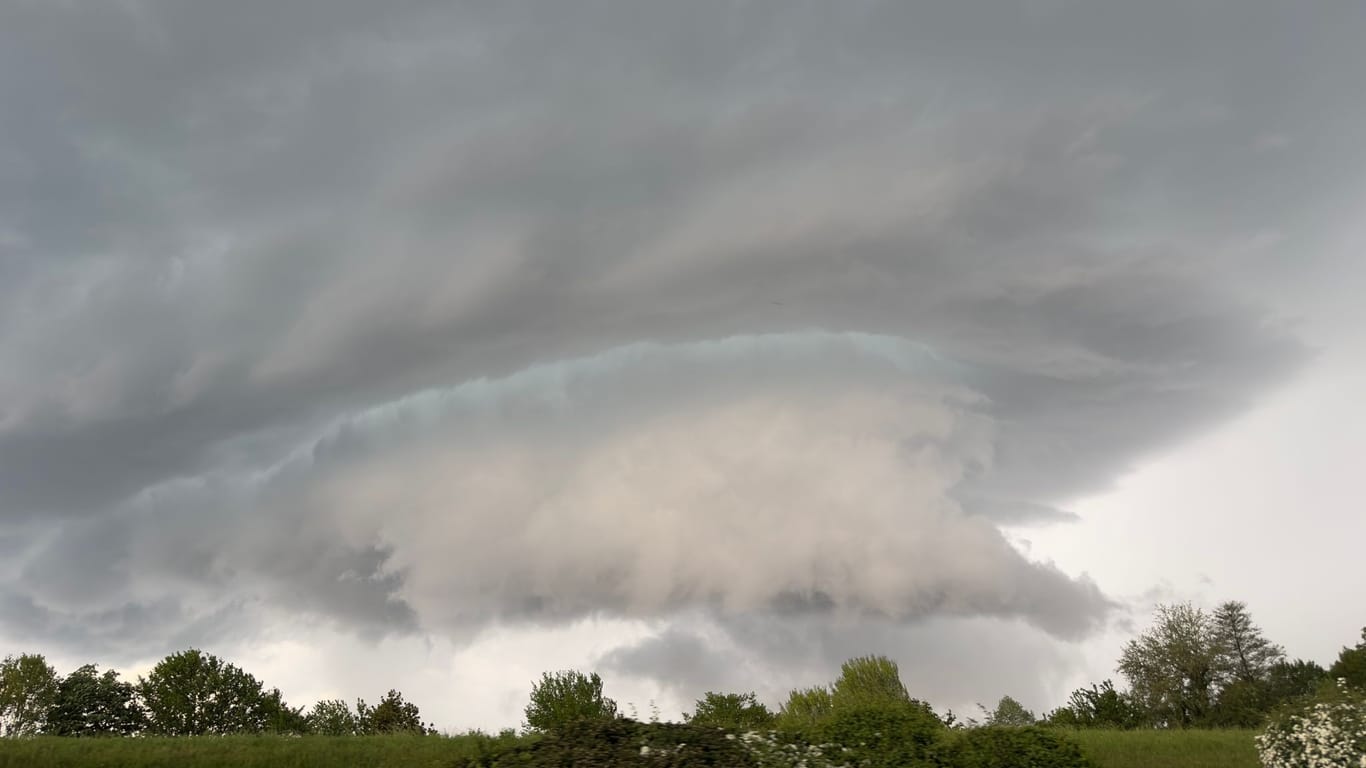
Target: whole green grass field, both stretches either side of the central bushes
x=1110, y=750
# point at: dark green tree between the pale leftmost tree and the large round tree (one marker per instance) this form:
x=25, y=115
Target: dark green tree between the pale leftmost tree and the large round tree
x=89, y=704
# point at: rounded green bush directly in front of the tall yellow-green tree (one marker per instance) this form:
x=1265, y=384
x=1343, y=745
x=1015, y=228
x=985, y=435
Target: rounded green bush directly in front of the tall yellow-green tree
x=886, y=736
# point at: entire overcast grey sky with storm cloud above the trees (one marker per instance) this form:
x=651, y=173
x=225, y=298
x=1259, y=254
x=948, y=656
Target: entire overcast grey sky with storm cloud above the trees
x=704, y=345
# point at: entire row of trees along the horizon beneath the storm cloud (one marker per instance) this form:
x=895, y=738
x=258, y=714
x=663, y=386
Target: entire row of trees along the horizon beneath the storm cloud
x=1192, y=669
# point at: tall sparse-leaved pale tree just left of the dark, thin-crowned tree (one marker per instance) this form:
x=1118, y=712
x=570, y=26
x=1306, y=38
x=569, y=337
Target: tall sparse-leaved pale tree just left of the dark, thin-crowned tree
x=1173, y=668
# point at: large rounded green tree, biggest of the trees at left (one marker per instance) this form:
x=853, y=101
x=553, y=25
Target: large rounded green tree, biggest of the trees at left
x=196, y=694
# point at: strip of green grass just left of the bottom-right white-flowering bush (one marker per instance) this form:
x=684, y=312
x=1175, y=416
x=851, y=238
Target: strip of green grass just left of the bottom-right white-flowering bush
x=1175, y=750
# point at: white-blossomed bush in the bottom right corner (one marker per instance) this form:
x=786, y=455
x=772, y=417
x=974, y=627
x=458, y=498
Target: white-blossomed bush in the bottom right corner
x=1328, y=732
